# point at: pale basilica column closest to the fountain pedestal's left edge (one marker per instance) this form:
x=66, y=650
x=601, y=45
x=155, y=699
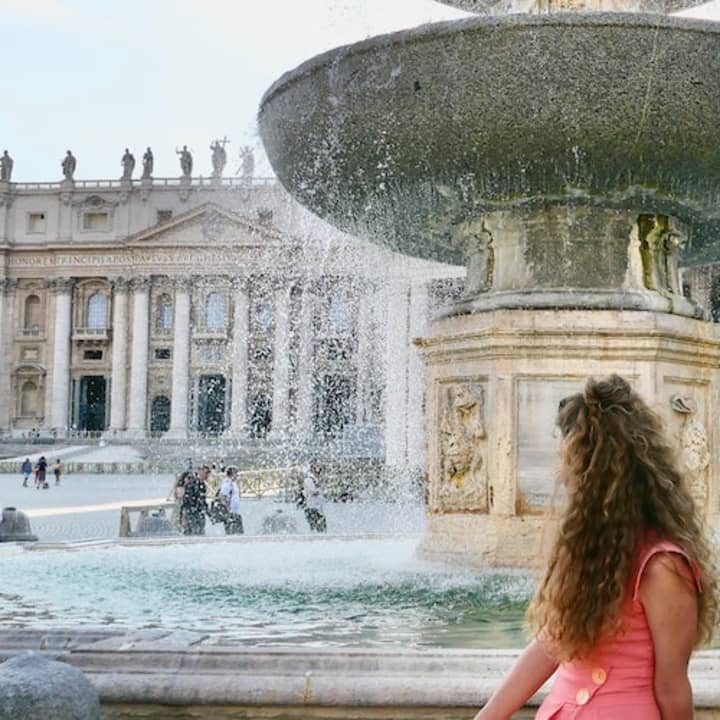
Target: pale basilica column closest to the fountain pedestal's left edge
x=419, y=317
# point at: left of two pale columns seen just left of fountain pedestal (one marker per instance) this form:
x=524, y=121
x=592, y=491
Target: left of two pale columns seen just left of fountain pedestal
x=396, y=360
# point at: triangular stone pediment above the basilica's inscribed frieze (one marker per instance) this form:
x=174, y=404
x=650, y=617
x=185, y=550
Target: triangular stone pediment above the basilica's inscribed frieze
x=208, y=225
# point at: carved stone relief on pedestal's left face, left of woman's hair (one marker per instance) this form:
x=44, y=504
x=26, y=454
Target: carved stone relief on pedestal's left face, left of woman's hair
x=463, y=478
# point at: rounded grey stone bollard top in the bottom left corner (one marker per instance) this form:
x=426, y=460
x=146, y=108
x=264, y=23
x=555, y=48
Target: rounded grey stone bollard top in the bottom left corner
x=35, y=688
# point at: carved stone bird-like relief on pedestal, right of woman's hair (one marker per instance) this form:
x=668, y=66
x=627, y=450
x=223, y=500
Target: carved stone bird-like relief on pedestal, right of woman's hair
x=694, y=448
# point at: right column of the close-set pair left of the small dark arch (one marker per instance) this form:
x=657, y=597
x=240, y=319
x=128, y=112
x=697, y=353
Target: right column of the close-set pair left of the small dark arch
x=137, y=420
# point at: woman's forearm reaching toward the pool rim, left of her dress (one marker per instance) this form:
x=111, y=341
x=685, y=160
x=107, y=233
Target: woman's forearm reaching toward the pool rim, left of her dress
x=527, y=676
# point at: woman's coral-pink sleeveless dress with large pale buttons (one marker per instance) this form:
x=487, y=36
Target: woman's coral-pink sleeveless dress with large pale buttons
x=617, y=684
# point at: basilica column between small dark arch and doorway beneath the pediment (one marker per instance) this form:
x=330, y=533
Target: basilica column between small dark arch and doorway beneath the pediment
x=181, y=360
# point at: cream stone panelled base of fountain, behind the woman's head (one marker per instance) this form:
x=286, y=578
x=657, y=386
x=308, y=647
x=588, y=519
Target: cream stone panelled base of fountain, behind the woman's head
x=494, y=380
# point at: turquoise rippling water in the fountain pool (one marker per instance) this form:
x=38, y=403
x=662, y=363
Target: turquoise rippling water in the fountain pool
x=339, y=592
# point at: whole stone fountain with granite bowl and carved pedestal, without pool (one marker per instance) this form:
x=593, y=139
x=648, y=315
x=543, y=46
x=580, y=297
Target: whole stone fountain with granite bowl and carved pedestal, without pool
x=566, y=159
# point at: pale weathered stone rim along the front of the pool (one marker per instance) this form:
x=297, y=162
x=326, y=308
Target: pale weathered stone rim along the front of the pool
x=175, y=669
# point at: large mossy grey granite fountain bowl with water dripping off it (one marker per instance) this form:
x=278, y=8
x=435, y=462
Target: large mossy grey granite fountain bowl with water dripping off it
x=402, y=137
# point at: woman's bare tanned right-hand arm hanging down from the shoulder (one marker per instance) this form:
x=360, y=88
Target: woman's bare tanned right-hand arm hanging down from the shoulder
x=669, y=596
